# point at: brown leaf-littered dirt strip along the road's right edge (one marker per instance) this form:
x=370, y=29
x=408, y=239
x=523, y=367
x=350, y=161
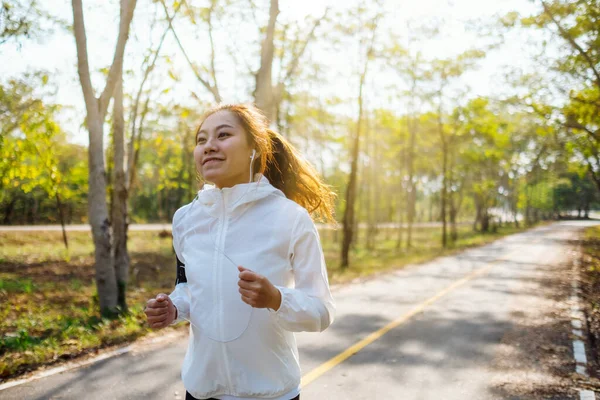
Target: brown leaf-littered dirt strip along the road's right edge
x=537, y=356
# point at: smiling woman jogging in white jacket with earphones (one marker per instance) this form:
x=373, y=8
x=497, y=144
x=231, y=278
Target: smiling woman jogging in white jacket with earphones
x=250, y=267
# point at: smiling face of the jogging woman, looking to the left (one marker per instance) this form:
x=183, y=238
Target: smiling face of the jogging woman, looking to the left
x=222, y=152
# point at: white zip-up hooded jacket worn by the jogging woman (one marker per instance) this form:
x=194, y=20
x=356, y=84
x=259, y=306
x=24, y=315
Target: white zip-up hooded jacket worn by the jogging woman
x=235, y=349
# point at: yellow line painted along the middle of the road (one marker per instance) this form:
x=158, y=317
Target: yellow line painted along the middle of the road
x=355, y=348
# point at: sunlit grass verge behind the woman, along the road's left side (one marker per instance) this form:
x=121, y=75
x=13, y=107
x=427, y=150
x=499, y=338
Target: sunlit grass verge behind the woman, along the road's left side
x=49, y=304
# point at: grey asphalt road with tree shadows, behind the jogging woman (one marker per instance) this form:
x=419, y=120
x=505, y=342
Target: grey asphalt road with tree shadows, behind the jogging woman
x=451, y=315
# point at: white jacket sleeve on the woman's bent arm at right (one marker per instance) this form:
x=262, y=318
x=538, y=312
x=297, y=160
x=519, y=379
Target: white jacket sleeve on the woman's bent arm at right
x=308, y=306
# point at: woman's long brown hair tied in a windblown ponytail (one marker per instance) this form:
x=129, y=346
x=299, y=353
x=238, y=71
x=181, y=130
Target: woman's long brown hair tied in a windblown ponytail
x=281, y=163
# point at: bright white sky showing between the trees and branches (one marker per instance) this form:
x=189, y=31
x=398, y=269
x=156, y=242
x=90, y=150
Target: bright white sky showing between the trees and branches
x=56, y=53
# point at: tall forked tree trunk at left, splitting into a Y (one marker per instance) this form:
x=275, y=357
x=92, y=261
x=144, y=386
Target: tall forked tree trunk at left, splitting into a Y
x=96, y=109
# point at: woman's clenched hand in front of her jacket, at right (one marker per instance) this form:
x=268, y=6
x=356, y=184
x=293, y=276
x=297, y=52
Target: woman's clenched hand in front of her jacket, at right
x=258, y=291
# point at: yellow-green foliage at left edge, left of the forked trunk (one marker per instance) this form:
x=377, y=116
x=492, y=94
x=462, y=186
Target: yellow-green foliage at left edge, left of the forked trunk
x=34, y=154
